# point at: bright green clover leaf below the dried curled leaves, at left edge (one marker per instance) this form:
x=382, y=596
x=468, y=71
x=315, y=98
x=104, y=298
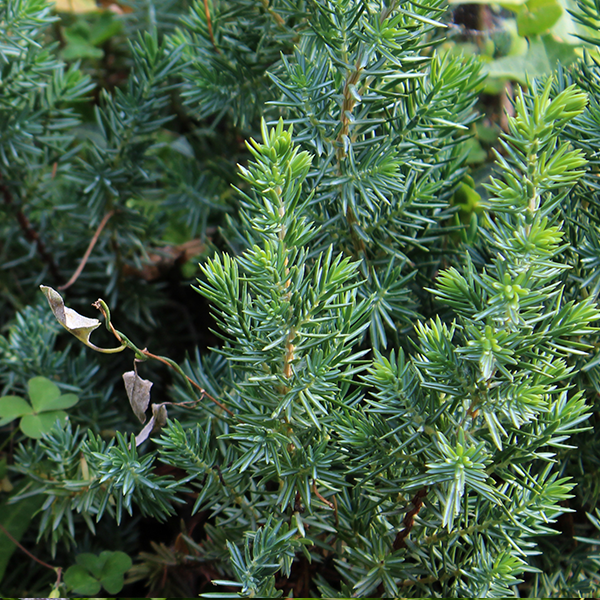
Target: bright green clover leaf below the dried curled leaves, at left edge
x=47, y=404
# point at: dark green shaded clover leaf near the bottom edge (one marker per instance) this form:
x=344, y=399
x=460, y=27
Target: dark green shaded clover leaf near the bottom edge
x=94, y=572
